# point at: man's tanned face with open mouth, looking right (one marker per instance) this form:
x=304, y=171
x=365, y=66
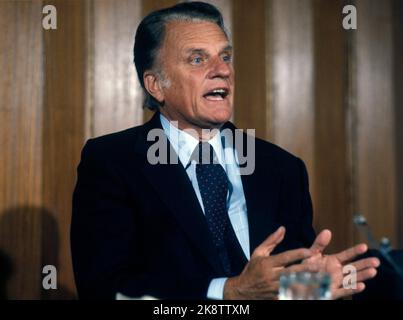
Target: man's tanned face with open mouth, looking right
x=196, y=59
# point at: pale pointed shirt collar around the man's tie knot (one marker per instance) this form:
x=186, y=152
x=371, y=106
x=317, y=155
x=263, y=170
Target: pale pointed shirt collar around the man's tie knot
x=184, y=144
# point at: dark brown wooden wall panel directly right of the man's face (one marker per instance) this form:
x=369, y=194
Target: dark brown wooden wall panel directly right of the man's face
x=249, y=35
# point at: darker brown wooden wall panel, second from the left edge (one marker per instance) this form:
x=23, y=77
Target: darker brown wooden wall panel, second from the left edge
x=63, y=133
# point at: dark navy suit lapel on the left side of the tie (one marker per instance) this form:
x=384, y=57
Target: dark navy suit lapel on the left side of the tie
x=175, y=189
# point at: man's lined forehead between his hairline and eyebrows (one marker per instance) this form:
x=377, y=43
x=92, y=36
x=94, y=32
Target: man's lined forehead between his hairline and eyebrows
x=182, y=35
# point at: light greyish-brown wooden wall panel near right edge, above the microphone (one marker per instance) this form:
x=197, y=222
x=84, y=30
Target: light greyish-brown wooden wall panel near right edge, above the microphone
x=376, y=166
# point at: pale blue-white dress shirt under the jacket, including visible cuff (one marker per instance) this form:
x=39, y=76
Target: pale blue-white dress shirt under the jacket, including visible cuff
x=184, y=144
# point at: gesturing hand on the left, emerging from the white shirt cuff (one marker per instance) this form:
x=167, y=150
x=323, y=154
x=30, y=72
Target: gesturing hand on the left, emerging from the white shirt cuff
x=260, y=277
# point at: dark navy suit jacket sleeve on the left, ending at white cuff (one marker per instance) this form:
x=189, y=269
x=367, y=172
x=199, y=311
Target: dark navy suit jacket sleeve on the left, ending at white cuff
x=108, y=255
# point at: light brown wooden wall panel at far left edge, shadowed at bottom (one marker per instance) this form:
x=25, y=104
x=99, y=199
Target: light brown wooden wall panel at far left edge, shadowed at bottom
x=21, y=63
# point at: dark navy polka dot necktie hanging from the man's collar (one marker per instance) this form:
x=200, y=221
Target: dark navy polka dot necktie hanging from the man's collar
x=213, y=185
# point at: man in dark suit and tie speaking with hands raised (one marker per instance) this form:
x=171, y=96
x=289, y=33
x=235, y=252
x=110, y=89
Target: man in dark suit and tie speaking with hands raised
x=194, y=228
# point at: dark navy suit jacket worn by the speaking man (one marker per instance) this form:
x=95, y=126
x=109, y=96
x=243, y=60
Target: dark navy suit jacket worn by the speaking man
x=138, y=228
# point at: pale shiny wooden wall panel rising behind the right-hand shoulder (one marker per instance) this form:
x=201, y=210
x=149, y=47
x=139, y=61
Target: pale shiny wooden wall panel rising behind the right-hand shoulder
x=292, y=93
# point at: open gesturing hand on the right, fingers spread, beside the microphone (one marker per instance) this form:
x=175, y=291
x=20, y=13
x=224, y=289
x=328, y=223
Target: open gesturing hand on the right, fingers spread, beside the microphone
x=334, y=264
